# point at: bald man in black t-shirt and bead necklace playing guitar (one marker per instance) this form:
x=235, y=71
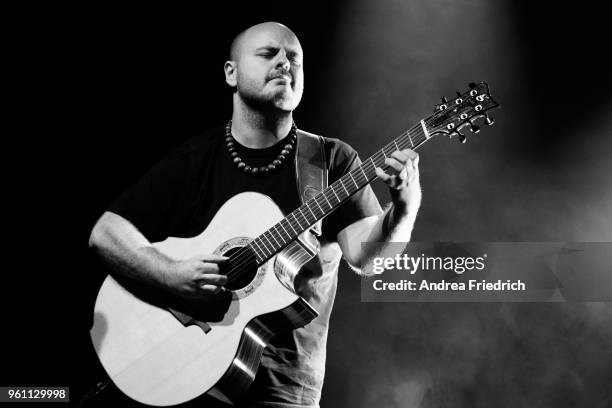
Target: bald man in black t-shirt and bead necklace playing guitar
x=255, y=152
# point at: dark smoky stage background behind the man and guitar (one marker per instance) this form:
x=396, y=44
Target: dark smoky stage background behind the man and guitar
x=102, y=93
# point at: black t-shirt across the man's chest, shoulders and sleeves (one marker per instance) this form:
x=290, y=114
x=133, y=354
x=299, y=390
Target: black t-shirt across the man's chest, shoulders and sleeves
x=180, y=195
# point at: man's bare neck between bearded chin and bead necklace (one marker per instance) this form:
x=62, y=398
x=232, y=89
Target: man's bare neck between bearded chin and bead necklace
x=257, y=130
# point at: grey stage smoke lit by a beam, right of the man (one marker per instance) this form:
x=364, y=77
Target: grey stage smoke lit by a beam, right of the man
x=540, y=173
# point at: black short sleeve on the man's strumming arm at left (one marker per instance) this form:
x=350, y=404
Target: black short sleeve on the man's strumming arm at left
x=152, y=204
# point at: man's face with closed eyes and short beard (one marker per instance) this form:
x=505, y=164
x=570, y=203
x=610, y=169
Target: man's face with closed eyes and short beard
x=269, y=71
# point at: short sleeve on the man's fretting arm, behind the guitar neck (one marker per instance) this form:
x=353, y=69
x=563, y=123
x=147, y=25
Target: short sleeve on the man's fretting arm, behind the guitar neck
x=342, y=158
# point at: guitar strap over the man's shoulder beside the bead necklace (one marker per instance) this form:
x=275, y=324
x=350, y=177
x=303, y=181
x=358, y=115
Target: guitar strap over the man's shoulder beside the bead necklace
x=310, y=169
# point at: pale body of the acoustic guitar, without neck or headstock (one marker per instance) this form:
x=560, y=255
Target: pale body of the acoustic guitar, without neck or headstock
x=156, y=359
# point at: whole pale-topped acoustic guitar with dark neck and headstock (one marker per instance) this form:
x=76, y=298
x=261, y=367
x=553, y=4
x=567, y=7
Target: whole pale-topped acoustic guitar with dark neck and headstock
x=163, y=351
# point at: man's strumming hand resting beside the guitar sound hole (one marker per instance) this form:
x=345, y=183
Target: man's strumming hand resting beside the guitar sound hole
x=196, y=277
